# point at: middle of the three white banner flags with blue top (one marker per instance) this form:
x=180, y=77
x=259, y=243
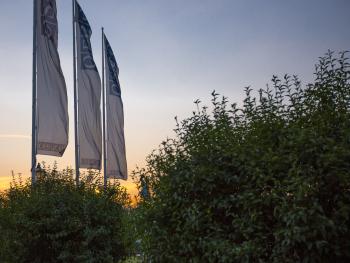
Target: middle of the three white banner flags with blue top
x=89, y=96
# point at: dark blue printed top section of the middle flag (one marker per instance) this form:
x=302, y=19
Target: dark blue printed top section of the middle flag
x=87, y=58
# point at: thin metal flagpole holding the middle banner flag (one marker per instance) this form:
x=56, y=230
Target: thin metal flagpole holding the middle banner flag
x=77, y=157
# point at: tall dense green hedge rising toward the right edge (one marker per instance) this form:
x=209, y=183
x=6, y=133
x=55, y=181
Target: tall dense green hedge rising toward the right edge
x=267, y=182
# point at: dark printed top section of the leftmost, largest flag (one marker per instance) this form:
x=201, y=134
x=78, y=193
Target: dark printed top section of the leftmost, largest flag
x=49, y=20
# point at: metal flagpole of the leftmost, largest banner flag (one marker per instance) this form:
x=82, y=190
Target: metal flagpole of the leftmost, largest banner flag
x=34, y=128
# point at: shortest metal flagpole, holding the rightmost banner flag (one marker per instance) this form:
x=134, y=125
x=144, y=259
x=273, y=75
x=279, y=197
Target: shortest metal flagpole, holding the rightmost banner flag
x=104, y=113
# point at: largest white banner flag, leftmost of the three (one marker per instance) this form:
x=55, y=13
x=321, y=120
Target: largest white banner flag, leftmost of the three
x=52, y=114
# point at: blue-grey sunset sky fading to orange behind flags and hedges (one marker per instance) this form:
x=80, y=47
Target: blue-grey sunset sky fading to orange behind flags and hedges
x=170, y=53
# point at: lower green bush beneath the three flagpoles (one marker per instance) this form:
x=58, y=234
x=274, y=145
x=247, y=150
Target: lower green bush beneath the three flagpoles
x=55, y=221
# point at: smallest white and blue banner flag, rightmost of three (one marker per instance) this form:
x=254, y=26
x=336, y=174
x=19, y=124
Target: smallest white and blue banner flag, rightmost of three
x=116, y=165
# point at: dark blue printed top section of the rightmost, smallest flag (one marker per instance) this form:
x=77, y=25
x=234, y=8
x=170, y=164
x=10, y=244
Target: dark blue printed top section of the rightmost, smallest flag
x=113, y=71
